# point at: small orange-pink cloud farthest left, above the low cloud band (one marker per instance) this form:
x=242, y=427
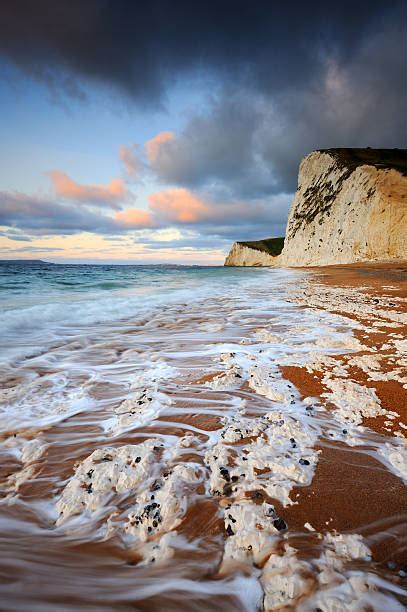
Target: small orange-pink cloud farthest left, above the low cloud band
x=104, y=195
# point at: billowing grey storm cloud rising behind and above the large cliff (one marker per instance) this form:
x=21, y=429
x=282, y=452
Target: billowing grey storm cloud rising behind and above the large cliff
x=249, y=144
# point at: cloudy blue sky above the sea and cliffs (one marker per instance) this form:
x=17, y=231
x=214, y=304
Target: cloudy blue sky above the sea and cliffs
x=162, y=131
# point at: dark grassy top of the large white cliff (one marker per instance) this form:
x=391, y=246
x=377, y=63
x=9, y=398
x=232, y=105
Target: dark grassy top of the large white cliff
x=379, y=158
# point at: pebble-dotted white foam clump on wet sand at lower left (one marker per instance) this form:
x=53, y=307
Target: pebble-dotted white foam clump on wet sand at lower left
x=161, y=492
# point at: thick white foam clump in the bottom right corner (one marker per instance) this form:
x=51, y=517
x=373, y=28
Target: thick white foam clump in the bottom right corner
x=329, y=583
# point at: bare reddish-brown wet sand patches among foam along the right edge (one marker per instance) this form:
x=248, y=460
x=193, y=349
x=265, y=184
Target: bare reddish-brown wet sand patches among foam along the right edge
x=352, y=491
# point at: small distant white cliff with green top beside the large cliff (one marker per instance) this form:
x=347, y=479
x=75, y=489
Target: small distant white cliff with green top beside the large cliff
x=257, y=253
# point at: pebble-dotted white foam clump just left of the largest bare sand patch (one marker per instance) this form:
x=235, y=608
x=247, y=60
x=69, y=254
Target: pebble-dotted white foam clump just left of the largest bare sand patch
x=281, y=448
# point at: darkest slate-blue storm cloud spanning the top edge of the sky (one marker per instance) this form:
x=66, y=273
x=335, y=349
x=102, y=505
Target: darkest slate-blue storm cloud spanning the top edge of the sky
x=142, y=46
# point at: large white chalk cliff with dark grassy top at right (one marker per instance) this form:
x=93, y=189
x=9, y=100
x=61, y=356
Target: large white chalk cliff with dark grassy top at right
x=351, y=205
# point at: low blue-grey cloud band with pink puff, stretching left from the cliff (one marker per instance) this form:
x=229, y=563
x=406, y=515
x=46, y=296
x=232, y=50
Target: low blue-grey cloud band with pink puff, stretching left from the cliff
x=169, y=208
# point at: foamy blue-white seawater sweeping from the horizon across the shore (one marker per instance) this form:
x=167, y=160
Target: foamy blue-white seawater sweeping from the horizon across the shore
x=110, y=356
